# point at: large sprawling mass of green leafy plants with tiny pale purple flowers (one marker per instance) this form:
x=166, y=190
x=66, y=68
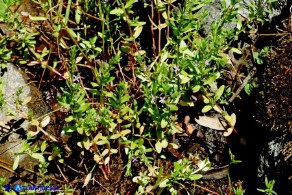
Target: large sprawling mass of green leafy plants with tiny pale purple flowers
x=121, y=97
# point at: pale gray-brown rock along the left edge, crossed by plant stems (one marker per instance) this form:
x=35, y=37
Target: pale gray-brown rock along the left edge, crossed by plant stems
x=14, y=79
